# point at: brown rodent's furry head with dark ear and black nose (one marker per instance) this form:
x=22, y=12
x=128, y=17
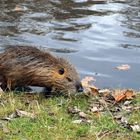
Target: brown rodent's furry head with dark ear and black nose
x=59, y=76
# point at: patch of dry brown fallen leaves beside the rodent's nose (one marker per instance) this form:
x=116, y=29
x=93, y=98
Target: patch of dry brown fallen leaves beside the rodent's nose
x=118, y=103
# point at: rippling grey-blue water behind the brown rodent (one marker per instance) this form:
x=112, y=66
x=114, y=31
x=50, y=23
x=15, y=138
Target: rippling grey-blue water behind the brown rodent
x=104, y=33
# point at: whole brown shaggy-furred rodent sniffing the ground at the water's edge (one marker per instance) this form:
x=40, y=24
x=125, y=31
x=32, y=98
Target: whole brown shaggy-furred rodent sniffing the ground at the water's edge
x=22, y=66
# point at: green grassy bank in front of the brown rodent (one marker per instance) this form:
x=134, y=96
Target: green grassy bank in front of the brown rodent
x=53, y=122
